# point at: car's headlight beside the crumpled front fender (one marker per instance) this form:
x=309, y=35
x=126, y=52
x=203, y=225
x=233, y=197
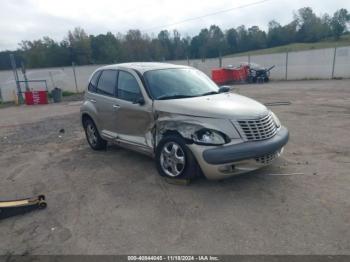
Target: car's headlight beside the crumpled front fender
x=209, y=137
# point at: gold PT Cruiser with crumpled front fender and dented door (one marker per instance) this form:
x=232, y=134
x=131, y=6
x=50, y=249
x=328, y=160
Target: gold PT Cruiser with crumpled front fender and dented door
x=177, y=115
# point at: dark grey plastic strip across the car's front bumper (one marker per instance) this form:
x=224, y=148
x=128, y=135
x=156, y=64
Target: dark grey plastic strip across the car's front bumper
x=247, y=150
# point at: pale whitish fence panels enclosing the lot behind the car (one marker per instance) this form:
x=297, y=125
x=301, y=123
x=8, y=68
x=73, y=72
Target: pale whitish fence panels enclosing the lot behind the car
x=311, y=64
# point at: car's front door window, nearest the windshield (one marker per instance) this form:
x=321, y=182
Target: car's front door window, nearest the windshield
x=128, y=88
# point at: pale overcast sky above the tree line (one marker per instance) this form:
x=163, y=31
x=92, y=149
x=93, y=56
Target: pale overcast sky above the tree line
x=33, y=19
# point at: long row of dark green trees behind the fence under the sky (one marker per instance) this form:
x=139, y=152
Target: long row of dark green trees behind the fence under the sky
x=83, y=49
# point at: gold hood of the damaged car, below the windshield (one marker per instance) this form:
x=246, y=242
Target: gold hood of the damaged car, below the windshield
x=225, y=105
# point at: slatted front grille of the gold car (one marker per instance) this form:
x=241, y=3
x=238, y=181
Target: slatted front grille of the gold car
x=259, y=129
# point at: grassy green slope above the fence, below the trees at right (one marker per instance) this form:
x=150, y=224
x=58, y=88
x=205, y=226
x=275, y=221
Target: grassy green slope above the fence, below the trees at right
x=328, y=43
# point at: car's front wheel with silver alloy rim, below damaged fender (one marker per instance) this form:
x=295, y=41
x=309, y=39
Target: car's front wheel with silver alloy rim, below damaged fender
x=174, y=159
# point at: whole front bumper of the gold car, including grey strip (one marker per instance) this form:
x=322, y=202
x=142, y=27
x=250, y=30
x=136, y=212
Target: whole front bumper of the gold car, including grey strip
x=224, y=161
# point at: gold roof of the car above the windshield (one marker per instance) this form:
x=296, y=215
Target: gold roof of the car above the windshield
x=144, y=66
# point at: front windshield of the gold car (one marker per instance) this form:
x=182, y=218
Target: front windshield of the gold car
x=179, y=83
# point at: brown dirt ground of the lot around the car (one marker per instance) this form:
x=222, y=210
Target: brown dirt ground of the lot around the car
x=114, y=202
